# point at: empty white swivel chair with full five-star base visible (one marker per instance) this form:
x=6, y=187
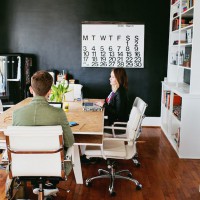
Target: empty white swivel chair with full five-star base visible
x=117, y=148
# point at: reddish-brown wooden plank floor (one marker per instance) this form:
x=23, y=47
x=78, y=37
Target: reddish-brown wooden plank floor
x=163, y=175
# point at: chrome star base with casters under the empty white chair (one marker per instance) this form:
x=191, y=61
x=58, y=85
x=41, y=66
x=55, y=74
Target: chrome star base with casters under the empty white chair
x=112, y=174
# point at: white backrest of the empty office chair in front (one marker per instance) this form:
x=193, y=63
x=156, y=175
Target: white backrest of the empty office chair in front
x=133, y=124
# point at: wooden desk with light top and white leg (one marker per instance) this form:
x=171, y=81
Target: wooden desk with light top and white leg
x=88, y=132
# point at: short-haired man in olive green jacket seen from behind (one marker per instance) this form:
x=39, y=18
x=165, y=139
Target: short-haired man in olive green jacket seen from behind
x=39, y=113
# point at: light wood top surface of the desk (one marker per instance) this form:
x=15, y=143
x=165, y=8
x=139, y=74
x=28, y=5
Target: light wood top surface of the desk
x=88, y=121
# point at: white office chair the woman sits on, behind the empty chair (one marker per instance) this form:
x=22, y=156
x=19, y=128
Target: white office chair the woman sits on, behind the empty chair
x=141, y=105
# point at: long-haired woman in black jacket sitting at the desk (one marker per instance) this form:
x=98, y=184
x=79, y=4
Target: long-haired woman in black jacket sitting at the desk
x=116, y=104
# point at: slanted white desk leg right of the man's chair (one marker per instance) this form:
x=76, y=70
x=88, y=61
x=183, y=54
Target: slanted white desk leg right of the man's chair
x=77, y=165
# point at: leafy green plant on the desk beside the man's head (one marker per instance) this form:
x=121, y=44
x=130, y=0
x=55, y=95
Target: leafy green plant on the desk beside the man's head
x=58, y=91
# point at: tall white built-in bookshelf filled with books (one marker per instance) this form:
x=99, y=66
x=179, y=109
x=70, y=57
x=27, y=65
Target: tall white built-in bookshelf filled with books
x=180, y=102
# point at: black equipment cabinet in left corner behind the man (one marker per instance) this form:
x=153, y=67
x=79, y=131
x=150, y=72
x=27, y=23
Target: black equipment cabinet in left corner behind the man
x=15, y=77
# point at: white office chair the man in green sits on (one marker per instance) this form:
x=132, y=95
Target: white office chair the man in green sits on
x=35, y=153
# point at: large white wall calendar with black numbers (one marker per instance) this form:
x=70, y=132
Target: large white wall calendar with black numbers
x=112, y=45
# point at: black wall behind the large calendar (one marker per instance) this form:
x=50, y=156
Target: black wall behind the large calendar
x=51, y=30
